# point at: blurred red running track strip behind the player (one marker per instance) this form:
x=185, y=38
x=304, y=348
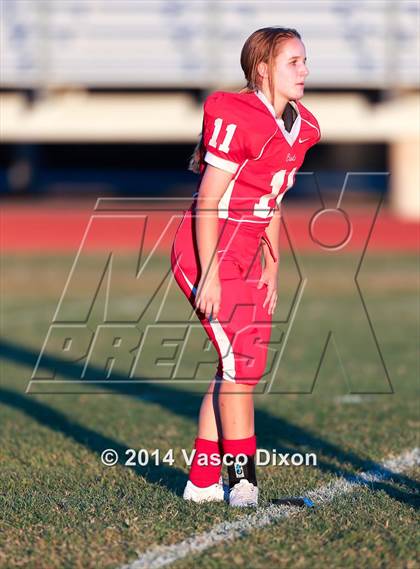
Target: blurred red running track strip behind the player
x=52, y=229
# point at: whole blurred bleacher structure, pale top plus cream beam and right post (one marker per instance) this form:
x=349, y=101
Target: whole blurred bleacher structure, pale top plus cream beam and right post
x=105, y=71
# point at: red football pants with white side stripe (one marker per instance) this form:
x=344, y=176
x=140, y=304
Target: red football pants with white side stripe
x=242, y=330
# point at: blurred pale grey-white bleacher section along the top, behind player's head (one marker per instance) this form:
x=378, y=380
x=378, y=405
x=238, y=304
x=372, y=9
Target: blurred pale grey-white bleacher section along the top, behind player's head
x=196, y=43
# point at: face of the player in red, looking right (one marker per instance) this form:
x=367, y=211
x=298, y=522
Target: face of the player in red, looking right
x=290, y=71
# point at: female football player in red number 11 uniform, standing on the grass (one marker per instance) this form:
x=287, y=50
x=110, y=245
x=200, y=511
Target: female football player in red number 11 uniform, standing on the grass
x=253, y=142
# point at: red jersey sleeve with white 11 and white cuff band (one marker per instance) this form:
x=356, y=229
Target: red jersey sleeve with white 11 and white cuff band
x=224, y=133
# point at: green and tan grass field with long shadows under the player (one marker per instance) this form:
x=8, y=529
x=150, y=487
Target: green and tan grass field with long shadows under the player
x=61, y=507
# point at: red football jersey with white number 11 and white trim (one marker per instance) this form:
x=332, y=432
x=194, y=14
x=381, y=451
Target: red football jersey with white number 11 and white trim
x=242, y=135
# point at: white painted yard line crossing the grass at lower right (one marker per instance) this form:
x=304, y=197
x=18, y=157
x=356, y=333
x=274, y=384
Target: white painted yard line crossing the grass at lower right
x=227, y=531
